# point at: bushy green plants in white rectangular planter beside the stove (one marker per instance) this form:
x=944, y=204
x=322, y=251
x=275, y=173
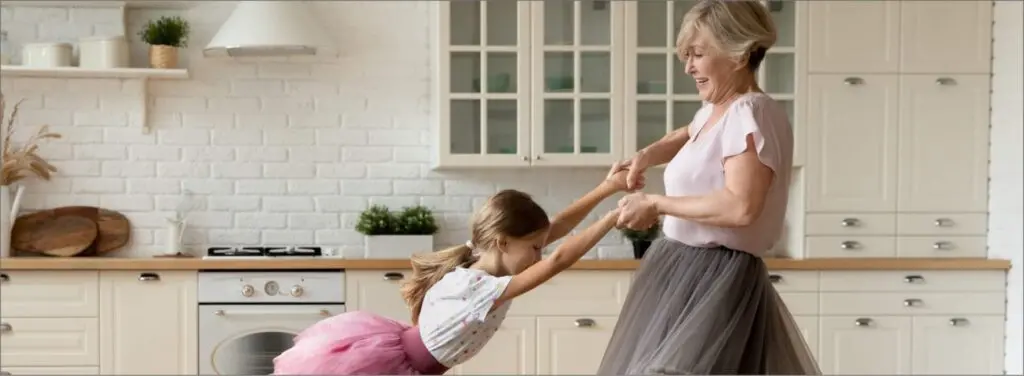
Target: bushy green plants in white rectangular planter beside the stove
x=400, y=235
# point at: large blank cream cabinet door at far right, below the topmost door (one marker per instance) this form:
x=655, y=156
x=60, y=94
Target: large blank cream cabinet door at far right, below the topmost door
x=944, y=144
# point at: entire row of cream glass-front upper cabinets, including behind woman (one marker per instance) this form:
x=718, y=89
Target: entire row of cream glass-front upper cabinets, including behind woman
x=573, y=83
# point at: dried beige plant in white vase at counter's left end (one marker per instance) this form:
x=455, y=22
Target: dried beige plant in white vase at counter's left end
x=17, y=163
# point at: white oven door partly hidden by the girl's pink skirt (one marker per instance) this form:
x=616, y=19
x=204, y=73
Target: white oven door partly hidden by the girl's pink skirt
x=244, y=340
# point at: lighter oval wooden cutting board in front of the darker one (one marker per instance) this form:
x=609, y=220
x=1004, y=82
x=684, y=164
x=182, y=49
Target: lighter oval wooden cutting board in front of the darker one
x=64, y=236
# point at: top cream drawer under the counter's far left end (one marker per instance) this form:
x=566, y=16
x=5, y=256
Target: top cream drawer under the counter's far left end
x=50, y=295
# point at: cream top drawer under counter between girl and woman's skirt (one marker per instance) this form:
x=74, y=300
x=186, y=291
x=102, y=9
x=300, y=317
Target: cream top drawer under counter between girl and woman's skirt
x=598, y=293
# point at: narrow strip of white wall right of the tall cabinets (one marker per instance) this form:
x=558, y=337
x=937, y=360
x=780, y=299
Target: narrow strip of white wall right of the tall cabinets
x=1006, y=221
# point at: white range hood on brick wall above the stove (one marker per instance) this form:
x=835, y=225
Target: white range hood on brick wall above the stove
x=270, y=29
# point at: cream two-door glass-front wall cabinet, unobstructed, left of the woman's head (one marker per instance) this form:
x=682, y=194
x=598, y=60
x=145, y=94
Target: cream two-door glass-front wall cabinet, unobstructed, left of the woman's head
x=539, y=89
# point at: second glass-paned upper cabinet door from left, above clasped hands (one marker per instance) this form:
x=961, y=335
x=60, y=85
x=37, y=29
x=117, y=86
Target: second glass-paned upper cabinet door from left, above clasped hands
x=577, y=55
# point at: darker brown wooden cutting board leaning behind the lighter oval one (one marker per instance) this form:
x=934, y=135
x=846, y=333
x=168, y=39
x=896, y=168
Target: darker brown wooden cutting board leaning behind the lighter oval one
x=114, y=230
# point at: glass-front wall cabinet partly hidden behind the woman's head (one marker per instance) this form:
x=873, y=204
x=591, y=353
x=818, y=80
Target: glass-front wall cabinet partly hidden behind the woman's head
x=662, y=98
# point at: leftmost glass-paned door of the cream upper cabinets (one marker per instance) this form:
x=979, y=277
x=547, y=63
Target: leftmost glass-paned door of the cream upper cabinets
x=484, y=100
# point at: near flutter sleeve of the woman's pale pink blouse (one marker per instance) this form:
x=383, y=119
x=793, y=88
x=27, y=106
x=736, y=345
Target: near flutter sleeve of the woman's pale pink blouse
x=754, y=118
